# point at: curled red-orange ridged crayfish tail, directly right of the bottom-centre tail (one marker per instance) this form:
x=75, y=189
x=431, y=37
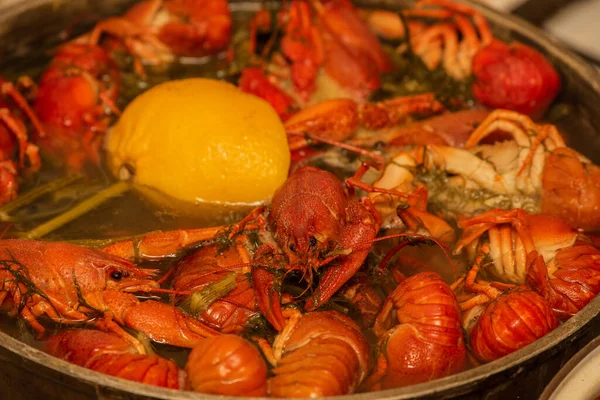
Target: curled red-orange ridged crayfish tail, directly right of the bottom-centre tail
x=420, y=334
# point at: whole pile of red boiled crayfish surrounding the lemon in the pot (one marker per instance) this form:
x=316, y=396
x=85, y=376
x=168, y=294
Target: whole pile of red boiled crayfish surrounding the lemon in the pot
x=457, y=228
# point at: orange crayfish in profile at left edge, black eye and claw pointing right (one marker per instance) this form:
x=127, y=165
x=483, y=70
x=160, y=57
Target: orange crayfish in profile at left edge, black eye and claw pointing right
x=75, y=285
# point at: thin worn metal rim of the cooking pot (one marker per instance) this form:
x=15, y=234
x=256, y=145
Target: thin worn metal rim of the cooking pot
x=550, y=46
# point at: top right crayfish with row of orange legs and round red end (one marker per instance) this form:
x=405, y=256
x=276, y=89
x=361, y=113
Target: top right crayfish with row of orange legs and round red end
x=459, y=39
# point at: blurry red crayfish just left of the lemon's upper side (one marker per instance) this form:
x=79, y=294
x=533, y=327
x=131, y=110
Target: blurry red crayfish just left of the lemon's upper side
x=75, y=102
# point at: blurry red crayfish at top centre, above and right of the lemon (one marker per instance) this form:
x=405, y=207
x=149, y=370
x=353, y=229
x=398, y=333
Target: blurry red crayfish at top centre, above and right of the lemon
x=320, y=39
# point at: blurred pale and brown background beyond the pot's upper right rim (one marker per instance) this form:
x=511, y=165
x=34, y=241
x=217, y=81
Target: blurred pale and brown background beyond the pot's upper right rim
x=575, y=22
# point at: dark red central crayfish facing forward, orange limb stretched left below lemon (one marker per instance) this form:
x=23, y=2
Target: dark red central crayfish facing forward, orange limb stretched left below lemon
x=311, y=221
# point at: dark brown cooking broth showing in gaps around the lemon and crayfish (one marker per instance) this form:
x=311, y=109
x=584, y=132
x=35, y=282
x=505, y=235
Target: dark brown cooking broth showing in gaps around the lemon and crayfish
x=132, y=214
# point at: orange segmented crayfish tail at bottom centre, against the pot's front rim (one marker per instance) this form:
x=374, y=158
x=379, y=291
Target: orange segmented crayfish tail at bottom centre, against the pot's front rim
x=321, y=353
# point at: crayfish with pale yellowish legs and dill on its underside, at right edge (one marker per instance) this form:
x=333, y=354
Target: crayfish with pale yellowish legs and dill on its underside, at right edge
x=527, y=171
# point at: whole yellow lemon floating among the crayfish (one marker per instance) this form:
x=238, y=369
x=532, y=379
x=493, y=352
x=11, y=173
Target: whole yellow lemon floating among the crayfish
x=201, y=140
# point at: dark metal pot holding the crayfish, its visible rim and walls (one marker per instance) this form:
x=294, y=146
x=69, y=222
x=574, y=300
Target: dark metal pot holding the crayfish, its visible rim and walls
x=26, y=373
